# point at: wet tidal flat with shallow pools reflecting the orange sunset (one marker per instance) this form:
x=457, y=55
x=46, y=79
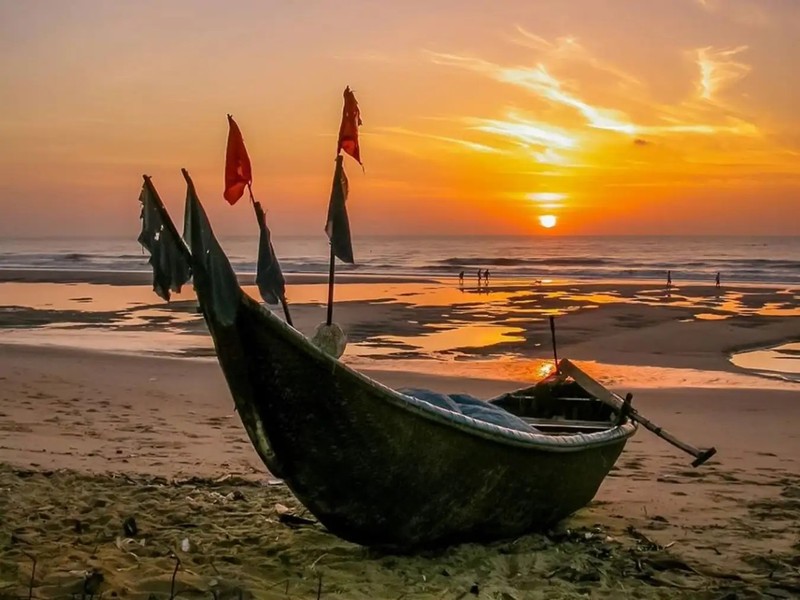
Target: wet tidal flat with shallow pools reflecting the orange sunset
x=435, y=327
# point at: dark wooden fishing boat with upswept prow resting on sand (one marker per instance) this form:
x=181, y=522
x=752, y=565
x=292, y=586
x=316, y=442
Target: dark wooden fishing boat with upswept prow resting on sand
x=393, y=469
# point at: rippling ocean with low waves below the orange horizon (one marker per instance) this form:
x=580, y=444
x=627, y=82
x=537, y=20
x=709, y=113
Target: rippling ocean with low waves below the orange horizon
x=774, y=260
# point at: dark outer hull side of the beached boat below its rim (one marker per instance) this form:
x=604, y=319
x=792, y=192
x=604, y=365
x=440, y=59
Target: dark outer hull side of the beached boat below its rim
x=375, y=472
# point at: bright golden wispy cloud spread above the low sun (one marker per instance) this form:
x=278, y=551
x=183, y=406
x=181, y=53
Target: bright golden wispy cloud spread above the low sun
x=594, y=124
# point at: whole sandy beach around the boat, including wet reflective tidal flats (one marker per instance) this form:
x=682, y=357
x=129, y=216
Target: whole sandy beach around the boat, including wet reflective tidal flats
x=98, y=426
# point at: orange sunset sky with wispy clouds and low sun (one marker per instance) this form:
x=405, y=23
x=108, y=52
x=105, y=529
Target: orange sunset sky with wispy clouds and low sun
x=675, y=117
